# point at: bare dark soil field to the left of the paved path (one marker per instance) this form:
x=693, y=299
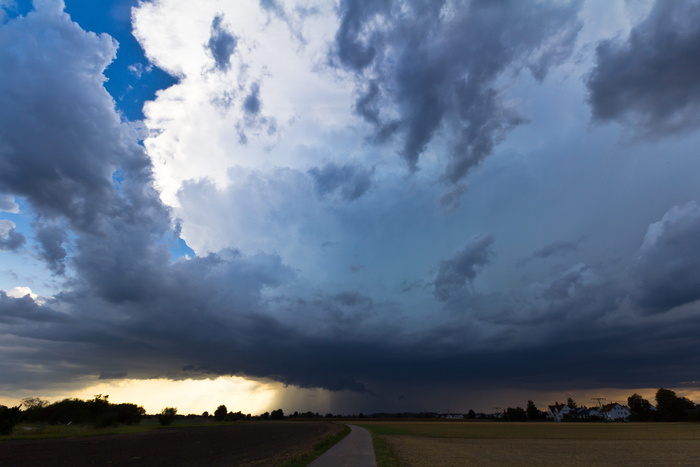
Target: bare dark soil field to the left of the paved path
x=249, y=444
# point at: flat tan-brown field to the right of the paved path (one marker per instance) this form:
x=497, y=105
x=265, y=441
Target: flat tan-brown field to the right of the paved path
x=422, y=443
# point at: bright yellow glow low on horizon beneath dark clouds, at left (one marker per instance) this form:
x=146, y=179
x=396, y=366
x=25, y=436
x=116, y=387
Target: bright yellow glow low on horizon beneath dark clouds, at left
x=189, y=396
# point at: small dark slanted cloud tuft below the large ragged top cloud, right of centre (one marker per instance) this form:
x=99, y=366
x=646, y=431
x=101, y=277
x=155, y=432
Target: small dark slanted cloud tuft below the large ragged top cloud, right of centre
x=454, y=273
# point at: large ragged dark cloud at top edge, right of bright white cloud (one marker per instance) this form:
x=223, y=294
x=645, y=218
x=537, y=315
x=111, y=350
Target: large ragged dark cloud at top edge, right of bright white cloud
x=425, y=67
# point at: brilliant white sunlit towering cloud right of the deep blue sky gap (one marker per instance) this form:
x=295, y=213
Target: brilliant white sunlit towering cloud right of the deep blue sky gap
x=196, y=125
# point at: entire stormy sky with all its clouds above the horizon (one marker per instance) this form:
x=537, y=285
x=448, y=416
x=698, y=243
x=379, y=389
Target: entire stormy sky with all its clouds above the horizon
x=349, y=206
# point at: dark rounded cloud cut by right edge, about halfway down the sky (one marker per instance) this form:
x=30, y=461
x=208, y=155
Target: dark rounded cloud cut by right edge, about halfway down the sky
x=668, y=266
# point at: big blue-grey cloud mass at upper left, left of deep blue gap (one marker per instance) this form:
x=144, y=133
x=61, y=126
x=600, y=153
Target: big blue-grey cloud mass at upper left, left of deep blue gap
x=67, y=170
